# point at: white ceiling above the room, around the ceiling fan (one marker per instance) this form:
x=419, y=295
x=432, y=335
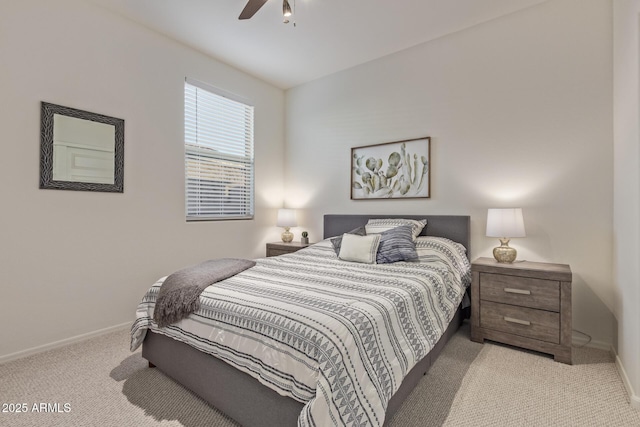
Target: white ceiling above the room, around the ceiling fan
x=329, y=36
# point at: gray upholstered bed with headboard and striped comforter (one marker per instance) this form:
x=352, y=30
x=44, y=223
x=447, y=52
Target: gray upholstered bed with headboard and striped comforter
x=368, y=392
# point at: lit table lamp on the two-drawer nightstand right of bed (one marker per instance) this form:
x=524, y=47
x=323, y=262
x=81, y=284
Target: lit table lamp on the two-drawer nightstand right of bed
x=505, y=224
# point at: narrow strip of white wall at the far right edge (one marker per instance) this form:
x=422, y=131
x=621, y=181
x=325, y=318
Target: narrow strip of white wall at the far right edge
x=626, y=202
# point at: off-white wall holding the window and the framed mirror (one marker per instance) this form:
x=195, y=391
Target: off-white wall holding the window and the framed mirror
x=77, y=262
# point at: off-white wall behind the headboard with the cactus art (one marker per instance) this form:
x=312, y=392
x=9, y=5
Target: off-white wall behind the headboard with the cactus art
x=520, y=114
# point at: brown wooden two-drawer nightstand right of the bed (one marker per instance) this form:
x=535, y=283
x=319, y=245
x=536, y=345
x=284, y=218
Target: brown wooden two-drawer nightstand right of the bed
x=525, y=304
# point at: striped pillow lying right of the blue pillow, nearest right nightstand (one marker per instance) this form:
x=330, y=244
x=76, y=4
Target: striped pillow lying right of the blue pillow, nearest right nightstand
x=453, y=254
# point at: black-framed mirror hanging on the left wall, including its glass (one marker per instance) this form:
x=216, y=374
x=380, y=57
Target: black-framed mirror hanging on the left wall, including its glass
x=80, y=150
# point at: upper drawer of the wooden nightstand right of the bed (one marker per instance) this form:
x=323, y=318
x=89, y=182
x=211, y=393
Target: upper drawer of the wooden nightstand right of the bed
x=522, y=291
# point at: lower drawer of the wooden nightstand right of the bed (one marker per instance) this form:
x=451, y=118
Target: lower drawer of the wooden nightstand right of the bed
x=537, y=324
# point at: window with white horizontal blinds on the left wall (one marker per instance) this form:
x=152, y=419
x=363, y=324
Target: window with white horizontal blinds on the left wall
x=218, y=139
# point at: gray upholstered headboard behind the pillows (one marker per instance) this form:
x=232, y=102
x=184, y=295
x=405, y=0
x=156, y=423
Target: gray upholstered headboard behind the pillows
x=454, y=227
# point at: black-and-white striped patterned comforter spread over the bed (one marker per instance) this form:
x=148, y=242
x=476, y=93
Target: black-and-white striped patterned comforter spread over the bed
x=336, y=335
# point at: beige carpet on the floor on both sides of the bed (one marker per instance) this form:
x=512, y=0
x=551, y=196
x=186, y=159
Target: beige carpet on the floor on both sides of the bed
x=470, y=384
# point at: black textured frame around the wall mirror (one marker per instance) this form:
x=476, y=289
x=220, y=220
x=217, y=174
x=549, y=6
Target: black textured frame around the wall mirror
x=46, y=150
